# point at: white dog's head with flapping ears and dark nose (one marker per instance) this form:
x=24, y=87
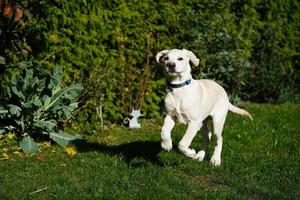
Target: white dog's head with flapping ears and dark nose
x=176, y=61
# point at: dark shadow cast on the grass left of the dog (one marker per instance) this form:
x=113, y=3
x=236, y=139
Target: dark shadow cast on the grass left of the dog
x=134, y=153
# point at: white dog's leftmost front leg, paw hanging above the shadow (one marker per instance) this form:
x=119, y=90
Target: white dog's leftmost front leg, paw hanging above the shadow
x=166, y=141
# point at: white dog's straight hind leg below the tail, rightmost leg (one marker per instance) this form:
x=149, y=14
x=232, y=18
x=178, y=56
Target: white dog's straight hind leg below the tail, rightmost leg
x=218, y=124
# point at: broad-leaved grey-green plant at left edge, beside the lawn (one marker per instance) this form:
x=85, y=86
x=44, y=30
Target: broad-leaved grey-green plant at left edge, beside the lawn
x=37, y=106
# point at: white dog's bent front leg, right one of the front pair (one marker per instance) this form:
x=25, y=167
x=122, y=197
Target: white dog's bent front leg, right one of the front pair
x=187, y=139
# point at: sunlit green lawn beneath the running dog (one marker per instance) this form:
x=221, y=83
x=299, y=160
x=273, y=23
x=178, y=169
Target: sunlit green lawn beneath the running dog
x=260, y=160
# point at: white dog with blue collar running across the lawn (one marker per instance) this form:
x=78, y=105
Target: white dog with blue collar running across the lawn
x=191, y=102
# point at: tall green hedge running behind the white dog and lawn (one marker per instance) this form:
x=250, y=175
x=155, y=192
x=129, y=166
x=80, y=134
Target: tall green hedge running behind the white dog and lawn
x=250, y=47
